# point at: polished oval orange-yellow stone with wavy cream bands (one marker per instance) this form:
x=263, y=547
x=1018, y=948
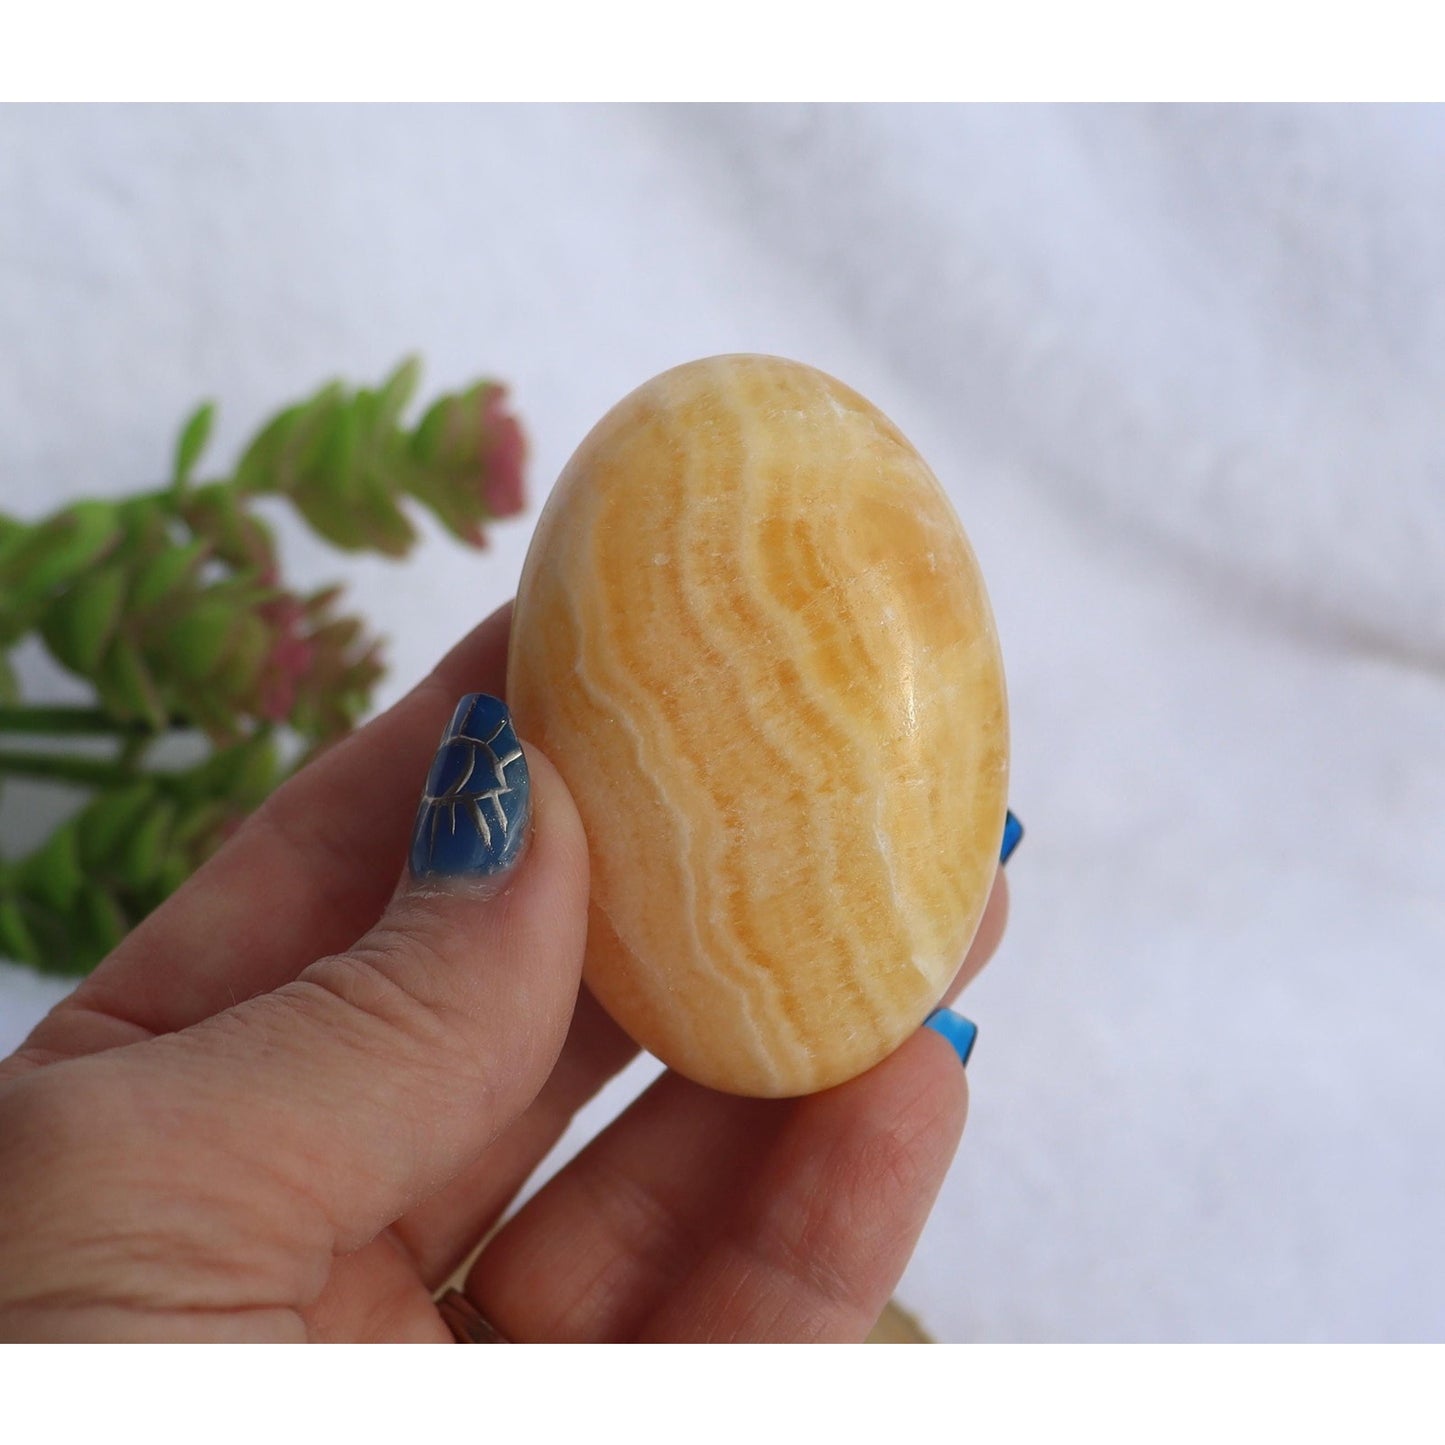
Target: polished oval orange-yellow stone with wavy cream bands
x=755, y=641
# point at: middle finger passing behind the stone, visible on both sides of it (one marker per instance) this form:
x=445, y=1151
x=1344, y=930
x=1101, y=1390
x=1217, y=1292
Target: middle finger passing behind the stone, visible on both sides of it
x=446, y=1230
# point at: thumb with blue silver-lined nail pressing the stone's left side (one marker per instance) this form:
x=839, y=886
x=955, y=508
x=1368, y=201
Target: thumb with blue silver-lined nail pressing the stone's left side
x=384, y=1071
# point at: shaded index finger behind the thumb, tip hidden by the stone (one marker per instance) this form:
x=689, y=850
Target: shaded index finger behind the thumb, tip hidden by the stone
x=306, y=876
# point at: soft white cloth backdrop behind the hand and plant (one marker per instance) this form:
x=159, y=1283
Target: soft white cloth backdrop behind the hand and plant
x=1183, y=372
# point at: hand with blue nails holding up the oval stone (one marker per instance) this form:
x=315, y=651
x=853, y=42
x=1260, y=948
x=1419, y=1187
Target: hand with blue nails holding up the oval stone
x=249, y=1123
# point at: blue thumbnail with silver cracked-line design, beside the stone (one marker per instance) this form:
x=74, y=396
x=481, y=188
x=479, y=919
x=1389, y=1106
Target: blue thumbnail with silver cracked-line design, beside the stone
x=475, y=813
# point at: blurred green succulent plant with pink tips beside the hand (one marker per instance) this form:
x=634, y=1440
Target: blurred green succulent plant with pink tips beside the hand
x=171, y=608
